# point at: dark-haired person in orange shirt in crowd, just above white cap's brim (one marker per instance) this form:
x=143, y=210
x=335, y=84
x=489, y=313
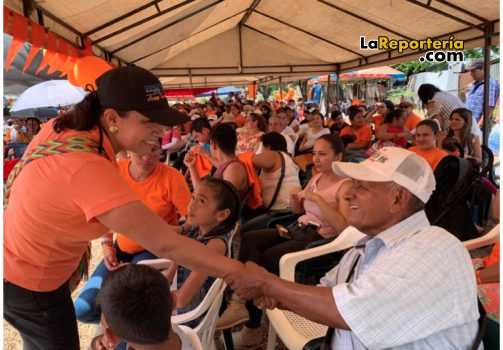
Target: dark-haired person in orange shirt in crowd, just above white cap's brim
x=358, y=135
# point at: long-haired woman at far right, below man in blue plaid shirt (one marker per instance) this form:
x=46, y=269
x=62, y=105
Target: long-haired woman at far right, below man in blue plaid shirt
x=460, y=128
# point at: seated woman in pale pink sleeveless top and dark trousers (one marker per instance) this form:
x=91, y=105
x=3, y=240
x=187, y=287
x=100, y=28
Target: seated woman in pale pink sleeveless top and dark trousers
x=321, y=203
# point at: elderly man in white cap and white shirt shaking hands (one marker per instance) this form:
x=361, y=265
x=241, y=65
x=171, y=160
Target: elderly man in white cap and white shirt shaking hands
x=407, y=285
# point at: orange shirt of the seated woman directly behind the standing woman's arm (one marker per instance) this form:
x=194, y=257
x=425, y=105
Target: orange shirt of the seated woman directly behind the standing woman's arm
x=164, y=192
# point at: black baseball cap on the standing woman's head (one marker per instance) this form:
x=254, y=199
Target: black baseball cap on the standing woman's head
x=134, y=88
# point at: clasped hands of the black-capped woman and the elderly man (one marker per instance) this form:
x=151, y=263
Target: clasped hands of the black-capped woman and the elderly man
x=255, y=283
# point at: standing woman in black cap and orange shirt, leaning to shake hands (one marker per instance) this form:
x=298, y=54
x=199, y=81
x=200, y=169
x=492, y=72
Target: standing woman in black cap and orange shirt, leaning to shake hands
x=67, y=192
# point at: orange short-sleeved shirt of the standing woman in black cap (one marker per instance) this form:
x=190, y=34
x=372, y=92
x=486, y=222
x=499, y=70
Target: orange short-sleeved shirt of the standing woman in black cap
x=52, y=211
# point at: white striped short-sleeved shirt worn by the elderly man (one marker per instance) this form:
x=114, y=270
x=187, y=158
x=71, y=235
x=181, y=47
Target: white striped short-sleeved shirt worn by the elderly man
x=413, y=288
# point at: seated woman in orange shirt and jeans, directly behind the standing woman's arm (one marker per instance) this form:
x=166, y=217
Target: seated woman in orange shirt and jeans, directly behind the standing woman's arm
x=164, y=191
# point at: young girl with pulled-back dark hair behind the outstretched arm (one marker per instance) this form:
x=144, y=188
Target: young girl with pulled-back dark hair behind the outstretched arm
x=213, y=213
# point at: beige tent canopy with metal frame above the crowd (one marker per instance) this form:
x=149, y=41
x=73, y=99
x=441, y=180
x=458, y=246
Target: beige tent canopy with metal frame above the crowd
x=201, y=43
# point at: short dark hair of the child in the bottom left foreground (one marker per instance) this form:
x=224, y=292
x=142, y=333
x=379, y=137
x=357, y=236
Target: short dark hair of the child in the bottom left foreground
x=136, y=303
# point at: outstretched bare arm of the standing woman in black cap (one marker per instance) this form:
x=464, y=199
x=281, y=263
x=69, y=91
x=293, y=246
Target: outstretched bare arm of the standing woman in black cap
x=146, y=228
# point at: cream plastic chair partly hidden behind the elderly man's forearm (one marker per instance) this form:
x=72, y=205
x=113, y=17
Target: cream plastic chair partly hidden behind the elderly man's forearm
x=294, y=330
